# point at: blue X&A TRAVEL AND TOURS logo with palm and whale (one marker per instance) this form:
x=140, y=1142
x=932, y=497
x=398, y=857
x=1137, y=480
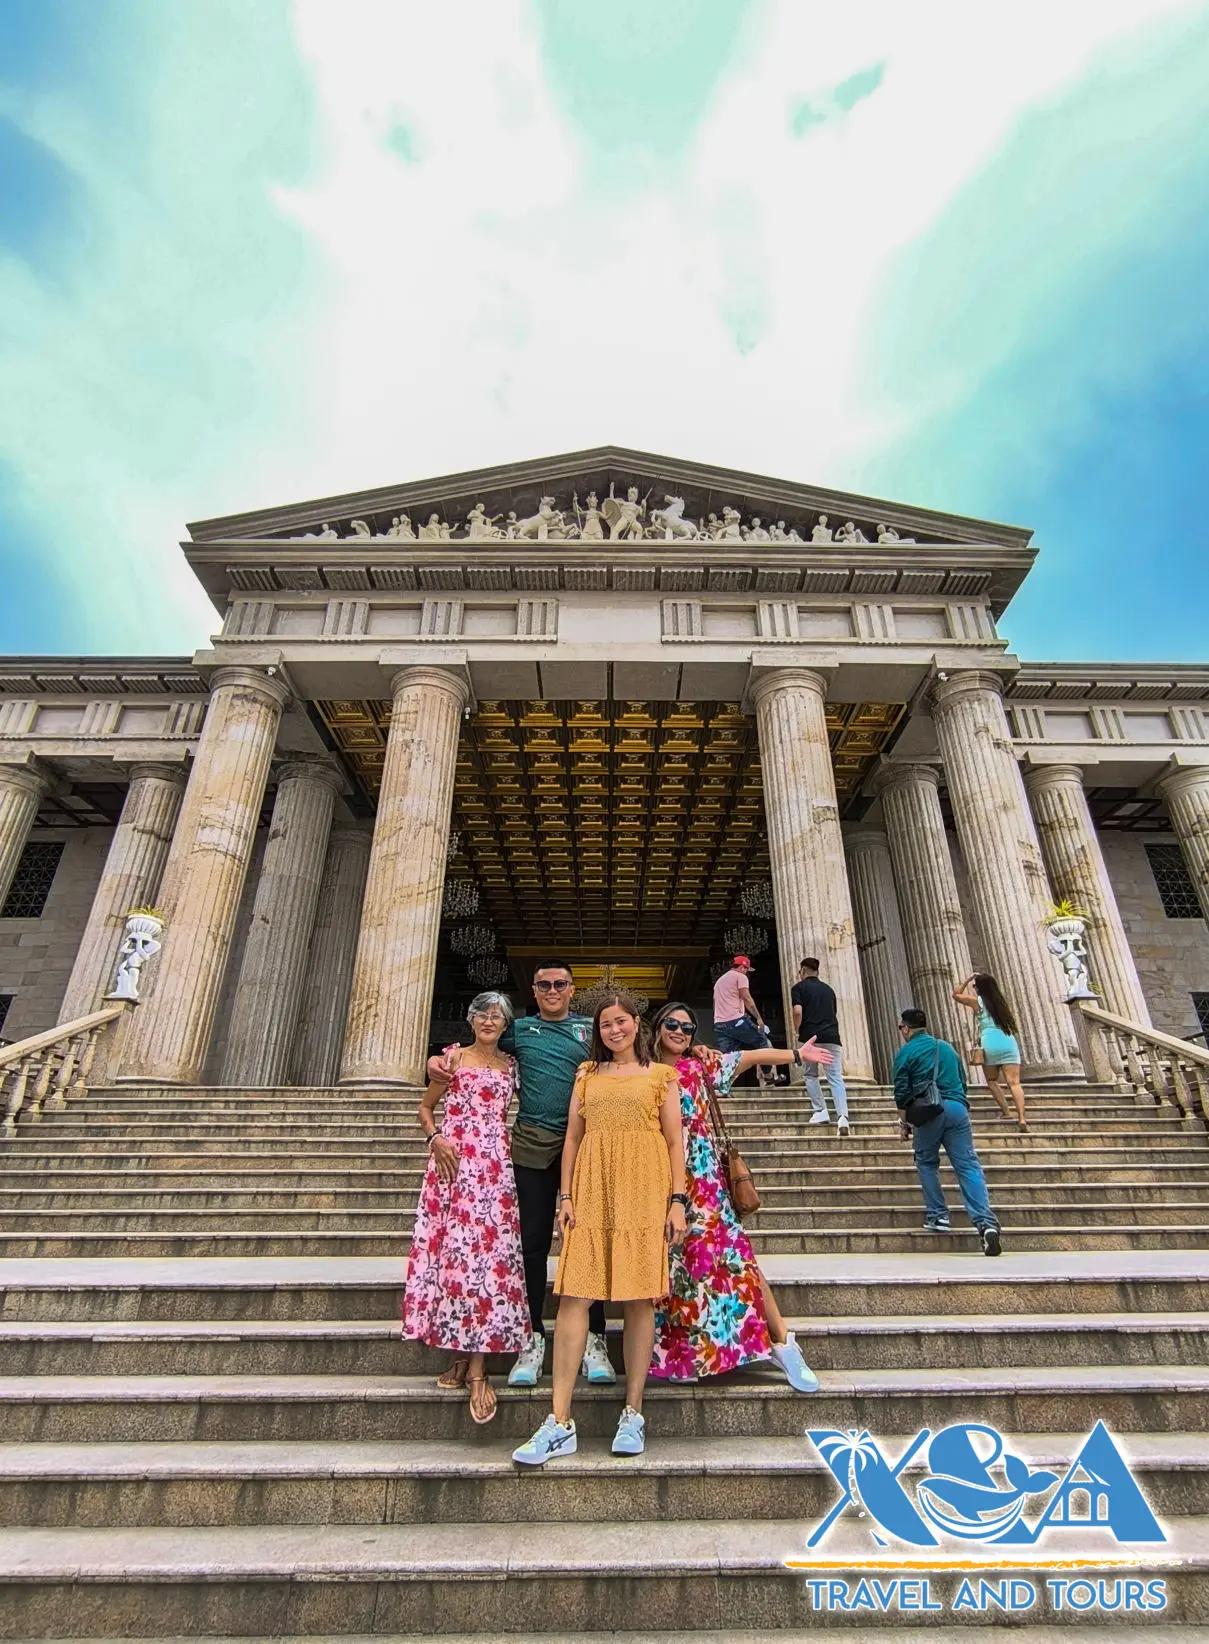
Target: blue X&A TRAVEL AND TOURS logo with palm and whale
x=971, y=1505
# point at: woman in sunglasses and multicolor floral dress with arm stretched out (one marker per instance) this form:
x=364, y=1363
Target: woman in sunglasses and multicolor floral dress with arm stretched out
x=721, y=1313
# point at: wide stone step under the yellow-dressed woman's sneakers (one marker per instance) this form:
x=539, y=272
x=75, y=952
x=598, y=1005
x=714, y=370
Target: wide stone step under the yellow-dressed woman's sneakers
x=442, y=1482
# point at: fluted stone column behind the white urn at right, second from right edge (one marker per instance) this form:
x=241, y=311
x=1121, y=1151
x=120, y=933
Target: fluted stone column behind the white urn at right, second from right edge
x=1073, y=856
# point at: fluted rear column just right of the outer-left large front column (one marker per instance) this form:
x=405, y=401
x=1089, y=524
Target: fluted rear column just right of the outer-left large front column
x=271, y=981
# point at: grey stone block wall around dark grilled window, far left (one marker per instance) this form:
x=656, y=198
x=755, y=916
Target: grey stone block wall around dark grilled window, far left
x=37, y=954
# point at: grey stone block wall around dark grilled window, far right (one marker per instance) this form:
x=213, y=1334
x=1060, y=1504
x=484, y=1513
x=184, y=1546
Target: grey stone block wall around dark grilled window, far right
x=1172, y=954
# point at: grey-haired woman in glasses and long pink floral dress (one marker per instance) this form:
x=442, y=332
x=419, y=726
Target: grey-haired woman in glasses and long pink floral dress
x=466, y=1280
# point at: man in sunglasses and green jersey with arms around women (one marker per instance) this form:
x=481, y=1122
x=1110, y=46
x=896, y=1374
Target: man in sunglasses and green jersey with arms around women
x=549, y=1050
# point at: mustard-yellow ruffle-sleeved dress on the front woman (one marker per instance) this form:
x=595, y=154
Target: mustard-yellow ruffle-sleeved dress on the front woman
x=618, y=1250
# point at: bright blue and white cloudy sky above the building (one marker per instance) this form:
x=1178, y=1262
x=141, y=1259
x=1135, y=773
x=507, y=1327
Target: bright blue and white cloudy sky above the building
x=945, y=254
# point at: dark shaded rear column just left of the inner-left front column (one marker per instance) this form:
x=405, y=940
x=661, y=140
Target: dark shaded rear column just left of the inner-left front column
x=325, y=1009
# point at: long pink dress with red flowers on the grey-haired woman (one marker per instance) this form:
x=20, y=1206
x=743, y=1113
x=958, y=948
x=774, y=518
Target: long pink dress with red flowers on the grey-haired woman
x=466, y=1280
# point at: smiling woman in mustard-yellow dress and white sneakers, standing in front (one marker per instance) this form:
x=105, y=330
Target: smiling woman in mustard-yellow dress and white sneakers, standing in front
x=621, y=1208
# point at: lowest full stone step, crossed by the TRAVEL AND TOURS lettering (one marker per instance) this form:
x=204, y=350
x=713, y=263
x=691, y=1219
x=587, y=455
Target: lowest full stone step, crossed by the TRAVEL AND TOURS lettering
x=516, y=1579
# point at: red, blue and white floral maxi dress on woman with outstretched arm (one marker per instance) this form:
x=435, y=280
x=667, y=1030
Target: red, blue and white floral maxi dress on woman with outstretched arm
x=713, y=1321
